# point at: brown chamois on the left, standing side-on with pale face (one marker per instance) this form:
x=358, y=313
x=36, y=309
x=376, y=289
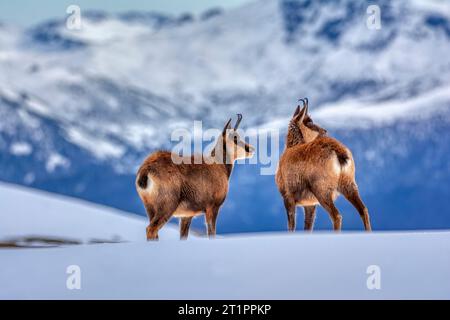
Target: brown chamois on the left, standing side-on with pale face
x=188, y=189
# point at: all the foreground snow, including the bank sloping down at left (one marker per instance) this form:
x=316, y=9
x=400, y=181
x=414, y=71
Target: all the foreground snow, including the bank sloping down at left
x=412, y=265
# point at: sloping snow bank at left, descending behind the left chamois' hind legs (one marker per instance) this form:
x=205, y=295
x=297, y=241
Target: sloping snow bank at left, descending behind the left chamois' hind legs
x=31, y=217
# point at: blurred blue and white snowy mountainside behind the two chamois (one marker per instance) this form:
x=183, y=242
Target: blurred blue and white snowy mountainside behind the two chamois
x=80, y=109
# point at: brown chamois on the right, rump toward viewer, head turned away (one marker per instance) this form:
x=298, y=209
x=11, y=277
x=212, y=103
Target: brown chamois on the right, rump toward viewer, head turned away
x=315, y=169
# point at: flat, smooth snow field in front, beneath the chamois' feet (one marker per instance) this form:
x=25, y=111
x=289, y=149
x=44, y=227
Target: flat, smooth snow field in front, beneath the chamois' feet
x=266, y=266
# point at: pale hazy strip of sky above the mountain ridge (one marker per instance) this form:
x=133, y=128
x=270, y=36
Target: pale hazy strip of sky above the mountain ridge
x=27, y=12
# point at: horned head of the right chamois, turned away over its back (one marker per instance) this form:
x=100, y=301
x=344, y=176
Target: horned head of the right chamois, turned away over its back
x=302, y=128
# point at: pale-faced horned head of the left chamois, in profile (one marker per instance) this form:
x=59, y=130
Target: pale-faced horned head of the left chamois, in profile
x=233, y=146
